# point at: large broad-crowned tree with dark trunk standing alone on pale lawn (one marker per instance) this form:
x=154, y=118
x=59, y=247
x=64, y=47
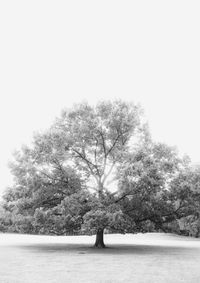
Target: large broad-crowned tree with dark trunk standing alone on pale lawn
x=96, y=168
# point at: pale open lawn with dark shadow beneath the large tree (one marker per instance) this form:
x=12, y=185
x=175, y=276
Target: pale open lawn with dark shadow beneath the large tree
x=140, y=258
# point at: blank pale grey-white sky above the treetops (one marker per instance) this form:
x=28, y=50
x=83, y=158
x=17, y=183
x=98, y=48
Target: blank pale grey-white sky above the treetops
x=57, y=53
